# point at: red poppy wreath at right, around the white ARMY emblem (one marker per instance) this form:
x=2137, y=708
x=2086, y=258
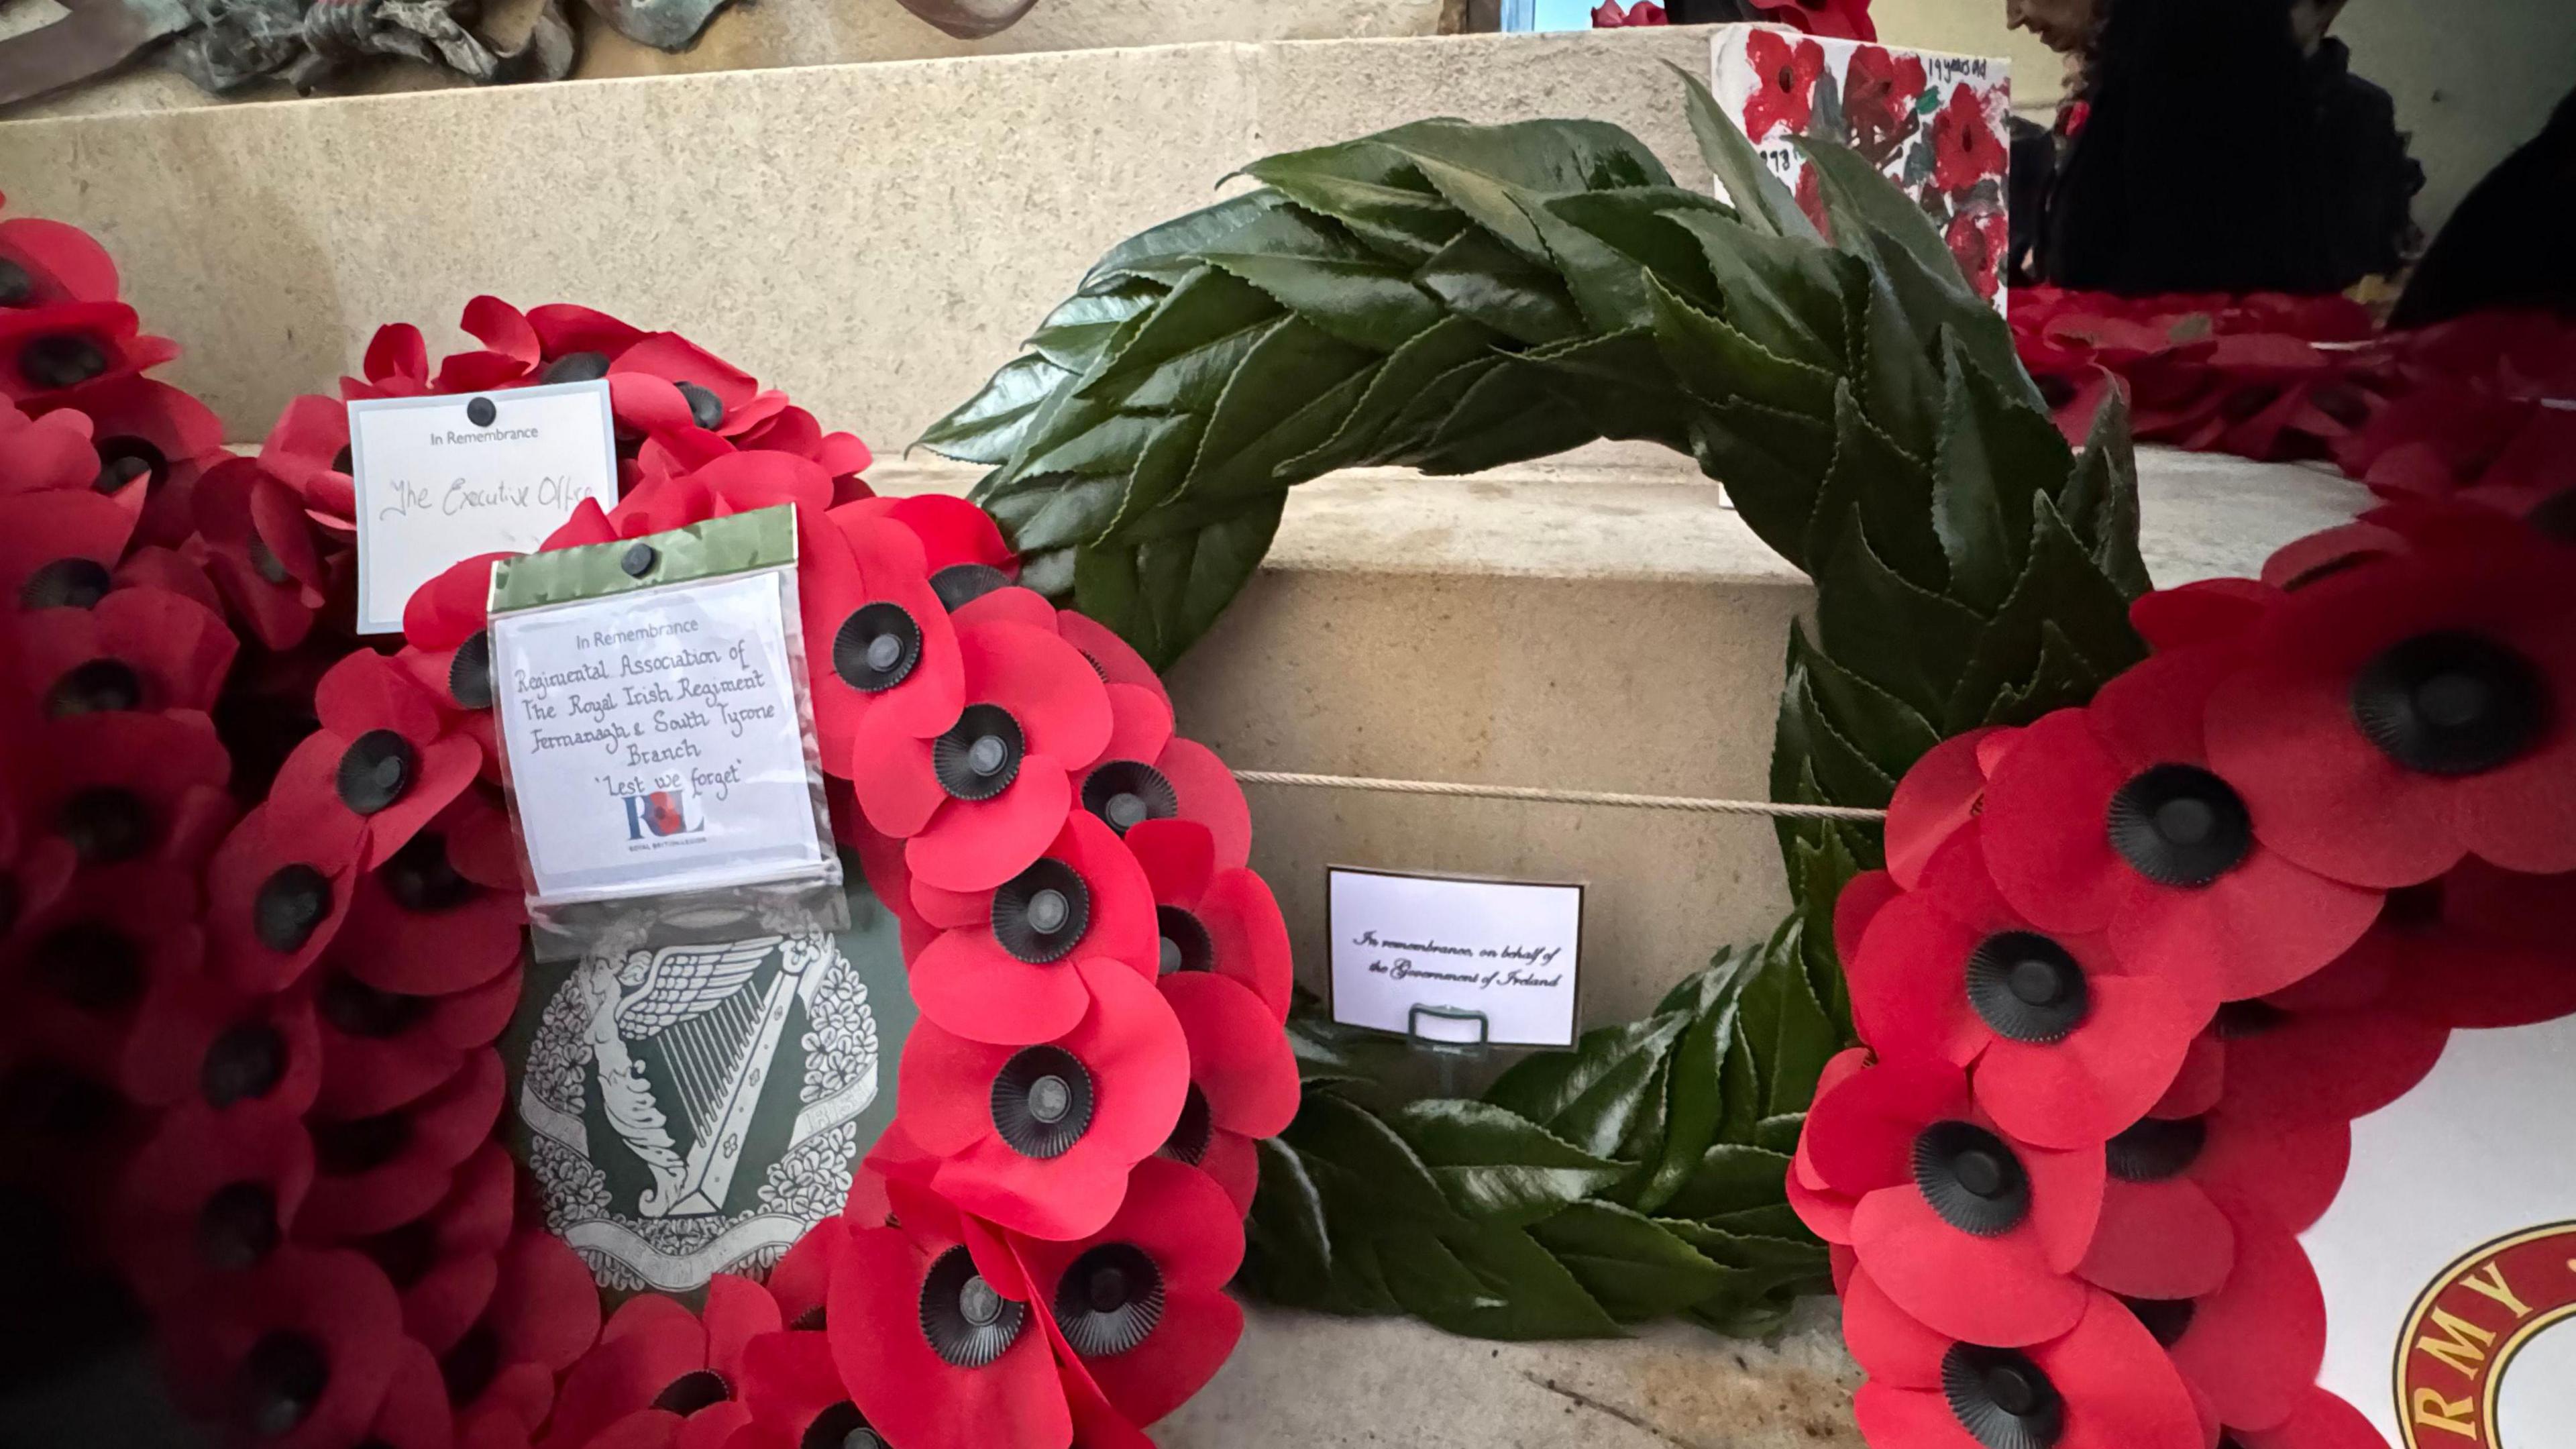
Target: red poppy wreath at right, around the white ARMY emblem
x=2137, y=968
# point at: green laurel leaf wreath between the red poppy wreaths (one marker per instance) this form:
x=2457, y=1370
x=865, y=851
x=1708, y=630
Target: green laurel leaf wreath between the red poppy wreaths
x=1454, y=298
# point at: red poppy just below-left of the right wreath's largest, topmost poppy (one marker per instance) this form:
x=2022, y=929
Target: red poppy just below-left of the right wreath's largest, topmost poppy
x=2111, y=819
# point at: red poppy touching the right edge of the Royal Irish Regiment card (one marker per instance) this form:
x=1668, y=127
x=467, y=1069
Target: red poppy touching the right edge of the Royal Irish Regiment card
x=877, y=636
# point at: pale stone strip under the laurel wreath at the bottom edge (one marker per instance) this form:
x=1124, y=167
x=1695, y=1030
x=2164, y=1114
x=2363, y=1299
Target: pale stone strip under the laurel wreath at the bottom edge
x=1341, y=1383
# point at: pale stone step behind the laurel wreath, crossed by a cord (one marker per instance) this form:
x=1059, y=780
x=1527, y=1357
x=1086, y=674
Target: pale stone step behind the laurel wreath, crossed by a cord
x=1588, y=623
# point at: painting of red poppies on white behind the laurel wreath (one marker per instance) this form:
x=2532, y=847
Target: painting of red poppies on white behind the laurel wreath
x=1931, y=122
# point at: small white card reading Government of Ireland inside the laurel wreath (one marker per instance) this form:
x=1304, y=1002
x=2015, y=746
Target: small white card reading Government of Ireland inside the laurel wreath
x=1454, y=960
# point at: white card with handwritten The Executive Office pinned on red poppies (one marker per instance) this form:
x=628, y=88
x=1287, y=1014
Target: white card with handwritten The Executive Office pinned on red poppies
x=450, y=478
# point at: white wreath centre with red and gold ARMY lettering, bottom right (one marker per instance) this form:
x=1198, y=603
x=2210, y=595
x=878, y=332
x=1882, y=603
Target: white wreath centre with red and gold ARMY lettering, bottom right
x=2451, y=1254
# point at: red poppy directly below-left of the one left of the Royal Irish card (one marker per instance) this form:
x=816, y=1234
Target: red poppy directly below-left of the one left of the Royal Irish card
x=277, y=899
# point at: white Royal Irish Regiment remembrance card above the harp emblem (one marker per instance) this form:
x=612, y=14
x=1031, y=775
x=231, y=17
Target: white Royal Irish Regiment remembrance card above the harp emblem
x=656, y=741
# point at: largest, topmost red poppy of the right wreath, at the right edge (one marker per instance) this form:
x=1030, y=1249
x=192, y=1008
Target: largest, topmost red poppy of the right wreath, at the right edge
x=2405, y=713
